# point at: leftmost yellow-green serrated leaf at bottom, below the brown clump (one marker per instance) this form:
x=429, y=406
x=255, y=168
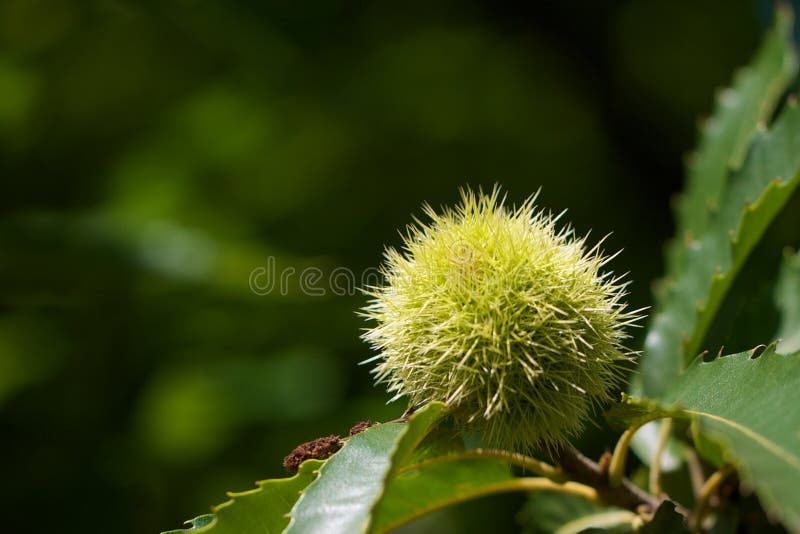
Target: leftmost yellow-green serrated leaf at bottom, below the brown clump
x=264, y=510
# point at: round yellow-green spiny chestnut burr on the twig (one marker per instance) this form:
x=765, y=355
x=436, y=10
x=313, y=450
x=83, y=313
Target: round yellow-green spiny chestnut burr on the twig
x=504, y=317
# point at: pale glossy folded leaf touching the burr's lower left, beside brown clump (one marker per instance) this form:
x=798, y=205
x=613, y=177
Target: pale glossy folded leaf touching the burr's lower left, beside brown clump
x=352, y=481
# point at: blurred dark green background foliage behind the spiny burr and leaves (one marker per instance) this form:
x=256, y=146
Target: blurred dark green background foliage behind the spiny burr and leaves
x=153, y=154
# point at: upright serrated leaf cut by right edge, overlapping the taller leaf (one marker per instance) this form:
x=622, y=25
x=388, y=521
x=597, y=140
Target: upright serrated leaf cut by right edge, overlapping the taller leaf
x=755, y=195
